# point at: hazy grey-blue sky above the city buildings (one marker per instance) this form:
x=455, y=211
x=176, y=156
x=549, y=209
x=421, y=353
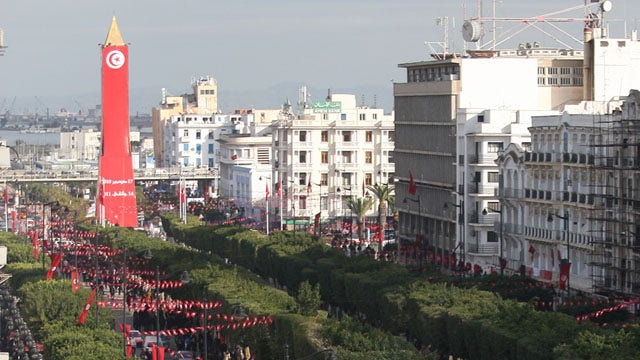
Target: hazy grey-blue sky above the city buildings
x=259, y=51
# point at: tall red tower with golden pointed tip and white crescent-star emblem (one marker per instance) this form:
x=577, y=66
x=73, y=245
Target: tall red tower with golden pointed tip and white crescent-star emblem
x=116, y=200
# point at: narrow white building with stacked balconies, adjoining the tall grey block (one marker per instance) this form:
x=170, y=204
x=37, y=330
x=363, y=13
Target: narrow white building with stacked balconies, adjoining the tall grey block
x=482, y=136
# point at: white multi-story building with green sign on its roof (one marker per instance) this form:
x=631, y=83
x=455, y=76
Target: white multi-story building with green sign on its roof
x=332, y=150
